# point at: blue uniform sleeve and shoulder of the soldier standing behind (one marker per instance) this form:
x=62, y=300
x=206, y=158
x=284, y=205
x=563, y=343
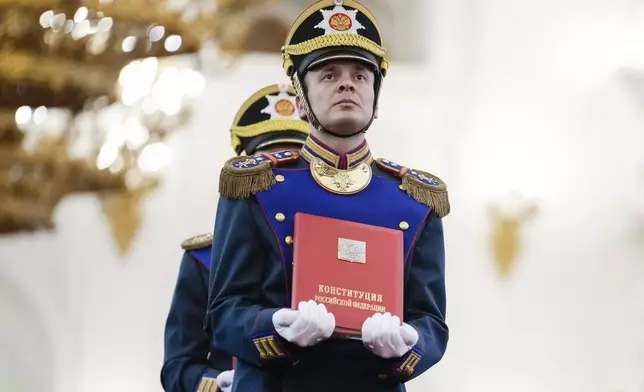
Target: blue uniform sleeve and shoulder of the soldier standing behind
x=189, y=362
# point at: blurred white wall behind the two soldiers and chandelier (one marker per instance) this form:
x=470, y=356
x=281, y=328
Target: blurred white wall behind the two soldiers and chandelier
x=520, y=106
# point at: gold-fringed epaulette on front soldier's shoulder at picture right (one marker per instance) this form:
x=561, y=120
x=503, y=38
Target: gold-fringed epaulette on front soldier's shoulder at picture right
x=424, y=187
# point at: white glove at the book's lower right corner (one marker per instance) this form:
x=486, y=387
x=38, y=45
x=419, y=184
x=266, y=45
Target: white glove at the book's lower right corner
x=384, y=335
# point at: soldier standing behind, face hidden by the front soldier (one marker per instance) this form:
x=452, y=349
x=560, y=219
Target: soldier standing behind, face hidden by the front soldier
x=266, y=121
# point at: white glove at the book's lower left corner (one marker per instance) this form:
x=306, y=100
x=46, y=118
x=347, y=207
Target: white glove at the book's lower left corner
x=306, y=326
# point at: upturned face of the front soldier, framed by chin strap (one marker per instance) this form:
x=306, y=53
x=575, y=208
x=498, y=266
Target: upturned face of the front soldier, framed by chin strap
x=341, y=94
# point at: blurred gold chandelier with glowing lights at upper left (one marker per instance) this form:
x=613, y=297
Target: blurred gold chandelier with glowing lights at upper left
x=90, y=93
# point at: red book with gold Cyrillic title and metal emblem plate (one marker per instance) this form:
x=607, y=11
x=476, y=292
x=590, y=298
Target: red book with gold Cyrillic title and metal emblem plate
x=354, y=269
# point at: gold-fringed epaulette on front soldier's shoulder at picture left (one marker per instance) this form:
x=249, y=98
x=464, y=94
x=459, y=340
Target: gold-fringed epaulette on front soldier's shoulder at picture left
x=242, y=177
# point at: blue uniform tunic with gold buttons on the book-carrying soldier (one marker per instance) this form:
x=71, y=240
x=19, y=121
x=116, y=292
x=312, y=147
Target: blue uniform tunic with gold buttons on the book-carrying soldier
x=254, y=257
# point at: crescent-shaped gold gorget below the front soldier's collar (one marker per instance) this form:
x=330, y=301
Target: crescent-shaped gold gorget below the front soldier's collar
x=338, y=181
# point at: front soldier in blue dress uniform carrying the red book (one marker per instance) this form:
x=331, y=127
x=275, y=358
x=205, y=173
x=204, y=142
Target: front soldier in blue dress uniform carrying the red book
x=336, y=60
